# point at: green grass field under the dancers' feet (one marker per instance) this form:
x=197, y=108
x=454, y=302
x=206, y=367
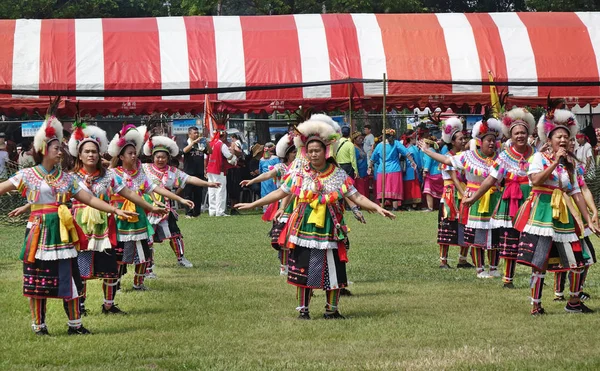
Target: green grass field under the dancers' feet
x=233, y=311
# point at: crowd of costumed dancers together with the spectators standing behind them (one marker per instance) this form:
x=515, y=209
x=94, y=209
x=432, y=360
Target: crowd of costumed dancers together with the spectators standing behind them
x=512, y=195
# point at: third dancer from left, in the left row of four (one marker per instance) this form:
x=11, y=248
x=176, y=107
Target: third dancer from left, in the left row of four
x=133, y=234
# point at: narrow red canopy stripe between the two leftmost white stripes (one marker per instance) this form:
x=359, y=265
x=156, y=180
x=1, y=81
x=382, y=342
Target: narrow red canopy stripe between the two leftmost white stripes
x=57, y=54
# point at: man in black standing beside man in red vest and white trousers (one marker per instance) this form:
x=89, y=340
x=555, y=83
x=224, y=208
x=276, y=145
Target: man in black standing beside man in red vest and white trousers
x=194, y=165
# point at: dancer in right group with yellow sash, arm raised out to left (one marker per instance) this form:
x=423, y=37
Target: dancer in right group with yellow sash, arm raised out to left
x=476, y=164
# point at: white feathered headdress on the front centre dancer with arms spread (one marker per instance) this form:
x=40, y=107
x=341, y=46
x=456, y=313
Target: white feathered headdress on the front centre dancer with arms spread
x=319, y=127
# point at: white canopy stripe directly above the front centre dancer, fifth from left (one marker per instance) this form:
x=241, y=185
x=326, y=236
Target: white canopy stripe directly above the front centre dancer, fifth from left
x=314, y=54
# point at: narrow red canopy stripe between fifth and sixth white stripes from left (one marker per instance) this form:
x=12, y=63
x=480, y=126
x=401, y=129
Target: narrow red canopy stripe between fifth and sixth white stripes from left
x=344, y=53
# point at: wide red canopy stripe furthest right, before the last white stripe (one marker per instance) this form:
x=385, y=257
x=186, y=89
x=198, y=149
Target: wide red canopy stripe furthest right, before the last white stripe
x=563, y=52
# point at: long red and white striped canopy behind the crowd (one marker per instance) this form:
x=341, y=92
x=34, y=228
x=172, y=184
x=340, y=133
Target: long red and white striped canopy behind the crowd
x=187, y=53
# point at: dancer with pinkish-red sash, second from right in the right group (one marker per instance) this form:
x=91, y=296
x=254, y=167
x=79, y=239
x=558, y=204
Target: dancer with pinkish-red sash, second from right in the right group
x=511, y=167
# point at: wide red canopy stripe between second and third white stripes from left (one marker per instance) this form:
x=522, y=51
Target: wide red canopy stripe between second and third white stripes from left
x=131, y=55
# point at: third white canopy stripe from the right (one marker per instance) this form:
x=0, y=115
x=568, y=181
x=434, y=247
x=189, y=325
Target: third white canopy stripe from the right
x=462, y=51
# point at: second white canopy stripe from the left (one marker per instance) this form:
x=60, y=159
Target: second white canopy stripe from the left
x=89, y=56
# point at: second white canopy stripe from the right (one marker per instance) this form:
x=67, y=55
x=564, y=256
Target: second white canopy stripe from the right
x=520, y=60
